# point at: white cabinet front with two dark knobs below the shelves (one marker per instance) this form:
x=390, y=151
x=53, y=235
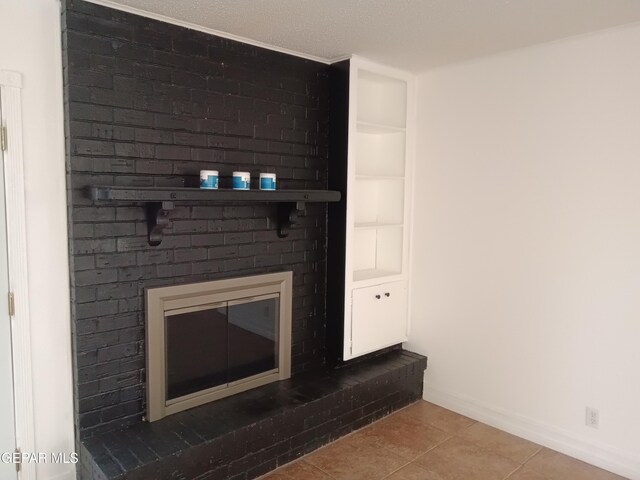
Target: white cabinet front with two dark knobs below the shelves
x=378, y=317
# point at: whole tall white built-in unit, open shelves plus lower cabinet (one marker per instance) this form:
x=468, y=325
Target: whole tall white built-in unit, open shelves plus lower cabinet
x=376, y=216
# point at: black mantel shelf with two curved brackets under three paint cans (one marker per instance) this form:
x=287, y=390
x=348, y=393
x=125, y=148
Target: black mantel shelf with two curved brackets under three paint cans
x=160, y=200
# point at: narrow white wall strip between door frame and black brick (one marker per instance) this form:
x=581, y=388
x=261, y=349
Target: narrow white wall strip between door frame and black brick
x=30, y=44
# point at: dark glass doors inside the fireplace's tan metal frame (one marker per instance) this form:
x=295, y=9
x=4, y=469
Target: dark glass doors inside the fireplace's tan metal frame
x=215, y=345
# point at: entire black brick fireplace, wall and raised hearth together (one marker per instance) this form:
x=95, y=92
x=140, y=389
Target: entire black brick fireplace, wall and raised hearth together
x=149, y=104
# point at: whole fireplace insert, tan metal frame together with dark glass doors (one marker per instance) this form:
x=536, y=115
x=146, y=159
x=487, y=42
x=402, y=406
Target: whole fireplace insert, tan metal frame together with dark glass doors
x=209, y=340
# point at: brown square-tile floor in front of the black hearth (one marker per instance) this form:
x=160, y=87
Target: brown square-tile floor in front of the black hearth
x=427, y=442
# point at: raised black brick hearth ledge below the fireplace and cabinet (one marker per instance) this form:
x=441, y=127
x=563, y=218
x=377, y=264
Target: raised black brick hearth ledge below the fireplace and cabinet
x=249, y=434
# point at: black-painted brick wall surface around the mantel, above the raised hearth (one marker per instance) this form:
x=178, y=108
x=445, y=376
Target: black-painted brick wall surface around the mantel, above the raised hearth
x=150, y=104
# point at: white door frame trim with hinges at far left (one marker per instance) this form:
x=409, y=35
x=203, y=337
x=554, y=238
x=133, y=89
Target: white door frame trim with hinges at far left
x=11, y=117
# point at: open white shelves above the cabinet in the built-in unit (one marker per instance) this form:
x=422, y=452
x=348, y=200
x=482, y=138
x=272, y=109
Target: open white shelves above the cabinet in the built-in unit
x=380, y=167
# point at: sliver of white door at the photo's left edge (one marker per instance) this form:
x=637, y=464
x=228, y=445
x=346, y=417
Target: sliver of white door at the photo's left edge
x=7, y=412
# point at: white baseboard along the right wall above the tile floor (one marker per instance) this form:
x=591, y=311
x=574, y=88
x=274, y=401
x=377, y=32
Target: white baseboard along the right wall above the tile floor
x=603, y=456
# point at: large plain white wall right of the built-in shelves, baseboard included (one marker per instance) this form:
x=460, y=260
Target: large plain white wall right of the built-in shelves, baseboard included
x=526, y=263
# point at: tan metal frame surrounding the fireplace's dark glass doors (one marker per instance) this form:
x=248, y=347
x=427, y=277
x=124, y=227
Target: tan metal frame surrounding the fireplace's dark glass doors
x=161, y=302
